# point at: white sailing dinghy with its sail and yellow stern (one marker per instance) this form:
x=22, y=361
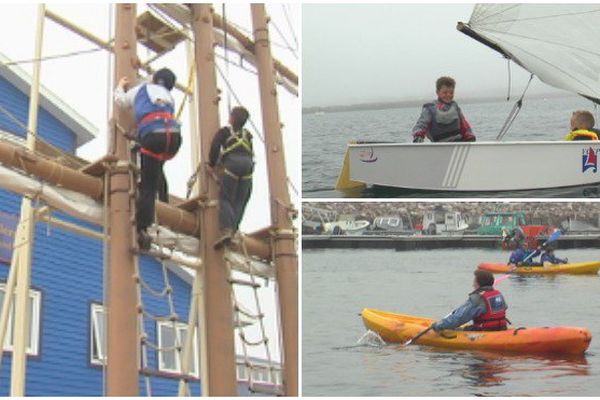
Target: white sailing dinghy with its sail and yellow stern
x=555, y=42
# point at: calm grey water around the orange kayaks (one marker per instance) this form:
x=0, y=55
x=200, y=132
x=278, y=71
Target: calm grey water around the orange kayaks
x=338, y=284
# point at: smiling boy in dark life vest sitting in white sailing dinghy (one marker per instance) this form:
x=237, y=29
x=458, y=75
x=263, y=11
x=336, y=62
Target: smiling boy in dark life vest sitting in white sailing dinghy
x=442, y=120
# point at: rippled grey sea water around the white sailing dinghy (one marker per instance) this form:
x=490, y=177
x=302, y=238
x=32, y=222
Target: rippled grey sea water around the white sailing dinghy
x=324, y=139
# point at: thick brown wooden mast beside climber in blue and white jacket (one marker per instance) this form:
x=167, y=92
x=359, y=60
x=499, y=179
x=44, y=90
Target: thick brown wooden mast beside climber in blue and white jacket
x=122, y=336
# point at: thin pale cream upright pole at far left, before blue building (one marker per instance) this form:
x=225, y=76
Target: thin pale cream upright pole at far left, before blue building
x=23, y=241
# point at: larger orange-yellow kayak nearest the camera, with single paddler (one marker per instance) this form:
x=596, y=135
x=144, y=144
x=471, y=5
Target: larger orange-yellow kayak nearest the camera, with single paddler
x=399, y=328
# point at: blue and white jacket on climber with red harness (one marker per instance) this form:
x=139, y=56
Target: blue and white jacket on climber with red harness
x=157, y=115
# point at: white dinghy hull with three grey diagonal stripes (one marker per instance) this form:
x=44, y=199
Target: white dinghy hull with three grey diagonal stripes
x=476, y=166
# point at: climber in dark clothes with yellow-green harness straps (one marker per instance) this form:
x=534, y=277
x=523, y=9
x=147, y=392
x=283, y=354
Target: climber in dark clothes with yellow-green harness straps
x=231, y=148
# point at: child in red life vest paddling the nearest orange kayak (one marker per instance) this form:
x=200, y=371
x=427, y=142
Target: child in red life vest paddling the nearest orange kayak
x=485, y=306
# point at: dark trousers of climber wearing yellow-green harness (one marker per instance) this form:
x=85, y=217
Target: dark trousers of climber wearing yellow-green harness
x=235, y=190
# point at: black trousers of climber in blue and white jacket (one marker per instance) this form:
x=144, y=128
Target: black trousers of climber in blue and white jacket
x=153, y=180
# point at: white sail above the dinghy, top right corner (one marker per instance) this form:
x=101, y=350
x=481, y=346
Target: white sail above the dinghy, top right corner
x=556, y=42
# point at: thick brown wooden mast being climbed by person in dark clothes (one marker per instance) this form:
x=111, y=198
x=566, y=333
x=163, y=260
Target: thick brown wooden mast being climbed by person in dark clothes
x=220, y=375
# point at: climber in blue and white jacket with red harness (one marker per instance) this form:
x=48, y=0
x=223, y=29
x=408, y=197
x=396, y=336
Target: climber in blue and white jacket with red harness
x=159, y=138
